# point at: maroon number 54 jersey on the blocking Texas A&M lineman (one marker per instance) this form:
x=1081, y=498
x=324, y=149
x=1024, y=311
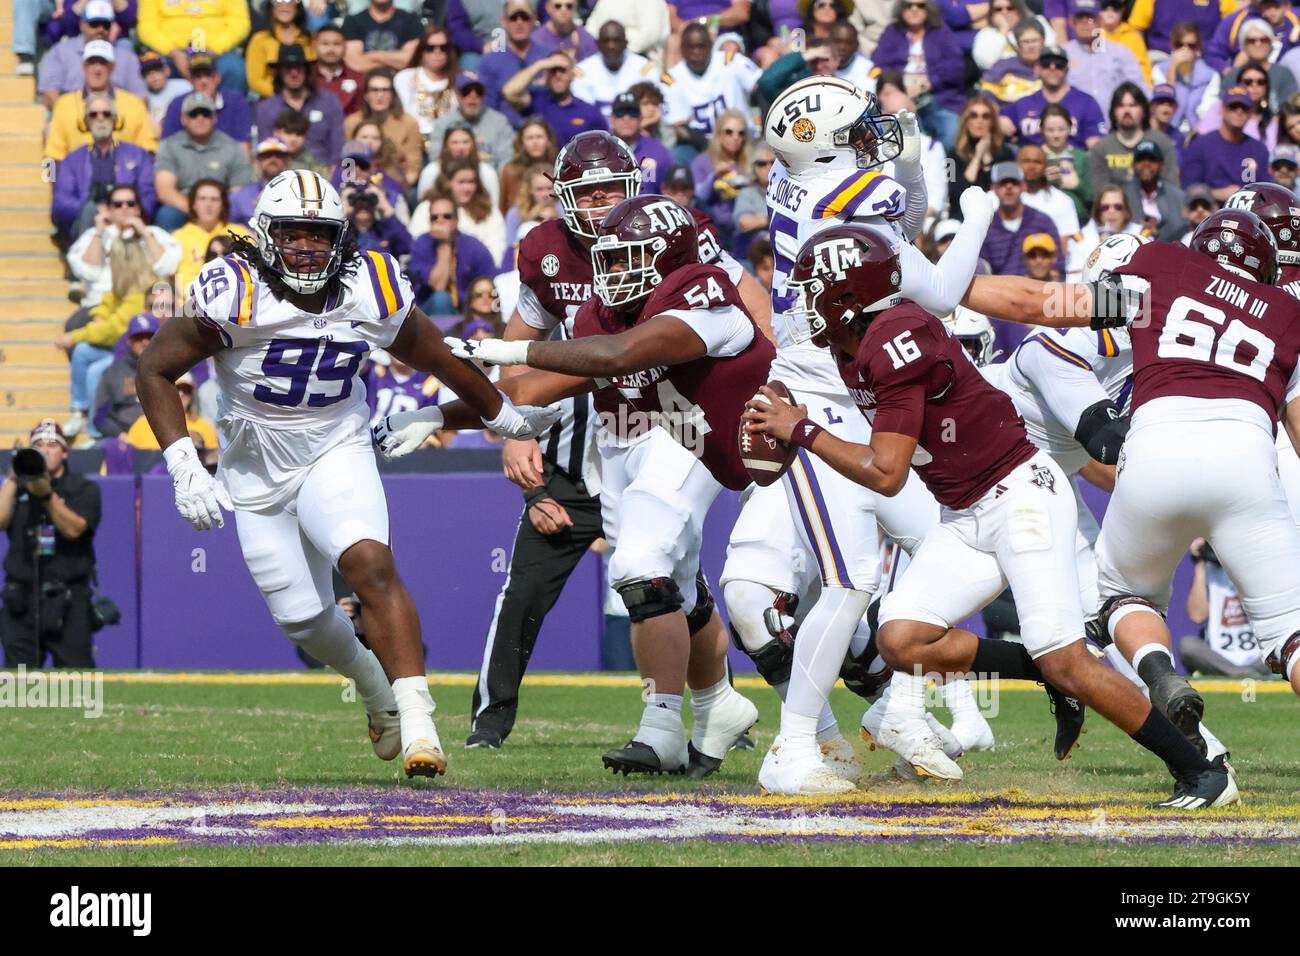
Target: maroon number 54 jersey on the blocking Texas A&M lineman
x=699, y=403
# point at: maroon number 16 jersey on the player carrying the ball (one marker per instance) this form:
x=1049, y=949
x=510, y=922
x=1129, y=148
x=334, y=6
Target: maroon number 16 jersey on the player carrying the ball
x=912, y=378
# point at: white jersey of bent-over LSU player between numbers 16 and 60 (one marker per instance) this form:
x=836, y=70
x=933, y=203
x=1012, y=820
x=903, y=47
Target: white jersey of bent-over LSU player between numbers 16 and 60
x=1058, y=374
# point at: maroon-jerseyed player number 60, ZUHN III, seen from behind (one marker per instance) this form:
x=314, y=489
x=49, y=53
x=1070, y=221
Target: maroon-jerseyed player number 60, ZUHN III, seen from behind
x=1216, y=351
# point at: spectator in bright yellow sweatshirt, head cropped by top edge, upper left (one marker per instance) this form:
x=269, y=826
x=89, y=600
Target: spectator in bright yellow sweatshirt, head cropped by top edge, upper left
x=175, y=28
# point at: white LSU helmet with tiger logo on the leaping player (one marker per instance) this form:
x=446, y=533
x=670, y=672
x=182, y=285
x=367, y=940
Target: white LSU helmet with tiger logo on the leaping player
x=826, y=123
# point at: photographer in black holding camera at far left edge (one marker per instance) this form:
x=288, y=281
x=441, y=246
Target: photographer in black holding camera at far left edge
x=51, y=516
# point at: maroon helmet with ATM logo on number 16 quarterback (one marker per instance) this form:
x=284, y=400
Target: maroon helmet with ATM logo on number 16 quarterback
x=844, y=272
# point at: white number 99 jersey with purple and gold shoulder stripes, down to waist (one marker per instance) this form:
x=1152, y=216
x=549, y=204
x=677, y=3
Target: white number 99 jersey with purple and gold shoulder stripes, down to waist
x=289, y=380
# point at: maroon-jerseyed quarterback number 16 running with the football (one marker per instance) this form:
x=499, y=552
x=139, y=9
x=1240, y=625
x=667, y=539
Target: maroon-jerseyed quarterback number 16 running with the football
x=1009, y=517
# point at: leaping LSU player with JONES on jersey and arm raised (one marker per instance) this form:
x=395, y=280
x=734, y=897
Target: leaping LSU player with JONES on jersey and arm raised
x=833, y=145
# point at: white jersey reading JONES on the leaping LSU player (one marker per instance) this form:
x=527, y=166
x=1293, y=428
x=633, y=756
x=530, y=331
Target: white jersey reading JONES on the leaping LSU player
x=799, y=209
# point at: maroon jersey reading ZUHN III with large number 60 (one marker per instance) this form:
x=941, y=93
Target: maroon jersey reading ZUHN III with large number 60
x=1211, y=332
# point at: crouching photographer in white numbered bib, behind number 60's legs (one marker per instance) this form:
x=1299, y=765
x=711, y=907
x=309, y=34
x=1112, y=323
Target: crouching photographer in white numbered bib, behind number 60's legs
x=1227, y=646
